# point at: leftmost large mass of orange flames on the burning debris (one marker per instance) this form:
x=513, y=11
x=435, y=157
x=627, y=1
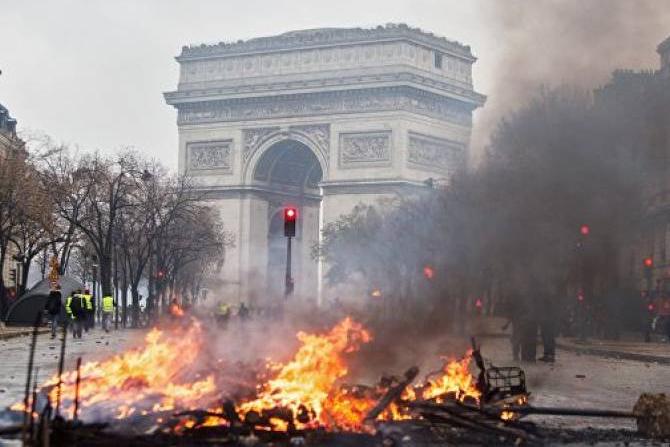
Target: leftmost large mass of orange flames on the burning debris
x=152, y=378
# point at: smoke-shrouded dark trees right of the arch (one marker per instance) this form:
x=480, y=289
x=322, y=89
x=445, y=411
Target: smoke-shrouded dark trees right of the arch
x=552, y=212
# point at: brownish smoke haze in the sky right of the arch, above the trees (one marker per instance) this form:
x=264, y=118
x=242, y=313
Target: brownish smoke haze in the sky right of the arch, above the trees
x=555, y=42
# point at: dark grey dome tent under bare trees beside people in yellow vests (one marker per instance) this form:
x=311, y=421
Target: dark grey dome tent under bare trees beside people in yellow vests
x=23, y=311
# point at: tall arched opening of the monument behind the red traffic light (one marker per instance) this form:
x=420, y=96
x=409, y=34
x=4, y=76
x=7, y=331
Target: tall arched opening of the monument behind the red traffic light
x=291, y=170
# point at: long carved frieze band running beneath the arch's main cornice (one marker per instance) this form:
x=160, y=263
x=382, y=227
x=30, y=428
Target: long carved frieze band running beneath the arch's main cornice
x=310, y=104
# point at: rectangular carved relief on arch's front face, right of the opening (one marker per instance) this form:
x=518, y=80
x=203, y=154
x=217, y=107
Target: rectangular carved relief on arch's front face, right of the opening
x=365, y=148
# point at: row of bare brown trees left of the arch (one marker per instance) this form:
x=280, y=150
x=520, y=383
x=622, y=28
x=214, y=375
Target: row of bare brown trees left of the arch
x=125, y=219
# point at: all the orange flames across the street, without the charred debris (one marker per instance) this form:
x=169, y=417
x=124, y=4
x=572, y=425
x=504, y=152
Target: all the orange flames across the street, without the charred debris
x=162, y=376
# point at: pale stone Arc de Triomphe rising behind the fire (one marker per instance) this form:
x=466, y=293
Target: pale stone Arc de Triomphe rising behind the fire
x=321, y=119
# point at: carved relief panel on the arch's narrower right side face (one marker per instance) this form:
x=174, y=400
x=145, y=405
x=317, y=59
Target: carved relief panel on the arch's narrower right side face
x=434, y=154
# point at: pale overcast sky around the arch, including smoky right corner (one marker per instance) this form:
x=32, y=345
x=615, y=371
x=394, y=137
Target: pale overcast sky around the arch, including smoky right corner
x=92, y=72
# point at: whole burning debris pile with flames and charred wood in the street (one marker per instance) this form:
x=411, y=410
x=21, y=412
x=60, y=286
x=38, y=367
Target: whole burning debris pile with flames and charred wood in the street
x=172, y=388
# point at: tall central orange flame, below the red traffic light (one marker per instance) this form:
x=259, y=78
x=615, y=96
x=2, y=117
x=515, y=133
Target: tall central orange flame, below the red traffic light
x=306, y=384
